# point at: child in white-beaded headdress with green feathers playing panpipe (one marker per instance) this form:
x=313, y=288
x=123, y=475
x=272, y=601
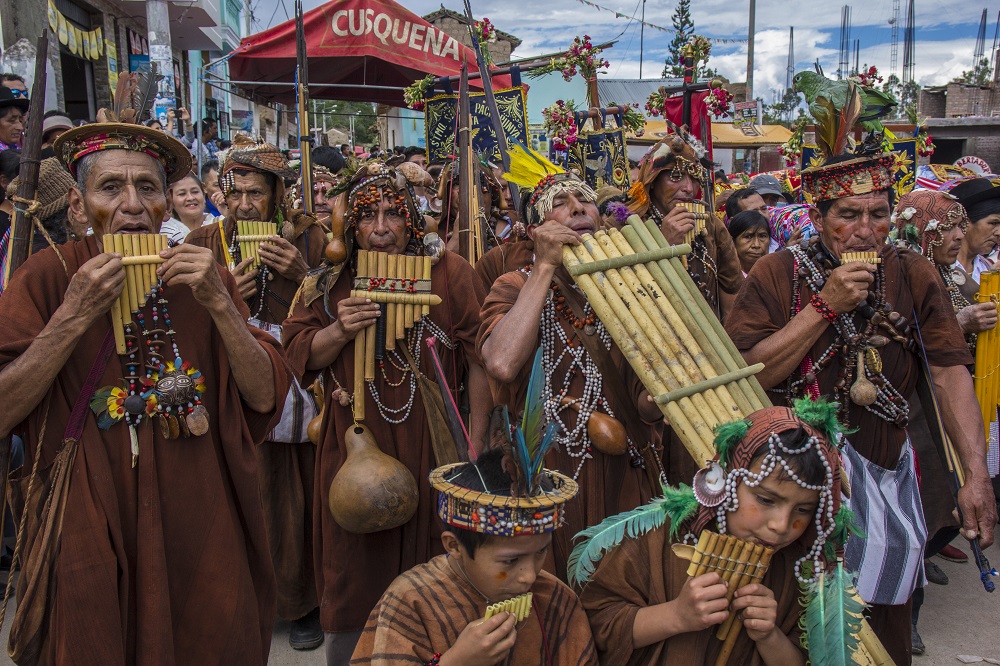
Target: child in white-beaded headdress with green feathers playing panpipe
x=775, y=483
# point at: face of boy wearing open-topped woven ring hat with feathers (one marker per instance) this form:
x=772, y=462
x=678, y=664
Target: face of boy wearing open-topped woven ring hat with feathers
x=504, y=567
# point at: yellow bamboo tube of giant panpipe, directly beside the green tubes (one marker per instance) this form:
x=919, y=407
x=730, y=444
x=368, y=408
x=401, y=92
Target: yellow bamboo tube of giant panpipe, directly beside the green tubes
x=688, y=331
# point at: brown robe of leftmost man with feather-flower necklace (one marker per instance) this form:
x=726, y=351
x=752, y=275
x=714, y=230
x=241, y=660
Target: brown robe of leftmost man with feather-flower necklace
x=166, y=563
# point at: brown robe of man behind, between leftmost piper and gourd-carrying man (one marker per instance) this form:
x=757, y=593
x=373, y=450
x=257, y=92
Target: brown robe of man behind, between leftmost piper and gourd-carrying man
x=286, y=470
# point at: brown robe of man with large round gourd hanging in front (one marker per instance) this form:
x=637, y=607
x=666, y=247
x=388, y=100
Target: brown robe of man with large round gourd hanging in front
x=353, y=570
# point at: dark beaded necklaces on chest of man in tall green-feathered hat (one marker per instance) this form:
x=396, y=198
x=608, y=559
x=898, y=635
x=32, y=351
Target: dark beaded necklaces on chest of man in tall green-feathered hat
x=813, y=264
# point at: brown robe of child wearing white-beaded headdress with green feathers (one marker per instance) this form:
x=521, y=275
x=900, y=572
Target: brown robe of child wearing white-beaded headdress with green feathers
x=645, y=572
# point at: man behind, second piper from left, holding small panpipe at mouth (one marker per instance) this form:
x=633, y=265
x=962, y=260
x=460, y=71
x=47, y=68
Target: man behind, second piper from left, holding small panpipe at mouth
x=251, y=178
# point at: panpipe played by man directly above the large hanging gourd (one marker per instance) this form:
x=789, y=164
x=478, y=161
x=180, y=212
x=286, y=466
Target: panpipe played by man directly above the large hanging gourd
x=401, y=285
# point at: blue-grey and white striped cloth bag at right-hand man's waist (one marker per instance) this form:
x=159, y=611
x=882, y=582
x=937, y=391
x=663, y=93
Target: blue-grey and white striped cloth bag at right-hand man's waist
x=889, y=559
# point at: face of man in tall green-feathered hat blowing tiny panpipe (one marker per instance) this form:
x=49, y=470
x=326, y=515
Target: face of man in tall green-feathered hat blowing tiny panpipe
x=854, y=224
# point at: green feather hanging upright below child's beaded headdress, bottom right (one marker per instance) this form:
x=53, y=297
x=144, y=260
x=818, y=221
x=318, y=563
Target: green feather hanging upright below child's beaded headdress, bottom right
x=832, y=619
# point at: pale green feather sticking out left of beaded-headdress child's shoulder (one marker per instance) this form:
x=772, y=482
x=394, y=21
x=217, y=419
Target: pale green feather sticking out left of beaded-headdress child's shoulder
x=595, y=541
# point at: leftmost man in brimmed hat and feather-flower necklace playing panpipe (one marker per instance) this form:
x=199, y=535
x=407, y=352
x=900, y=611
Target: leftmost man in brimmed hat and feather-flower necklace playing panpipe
x=158, y=551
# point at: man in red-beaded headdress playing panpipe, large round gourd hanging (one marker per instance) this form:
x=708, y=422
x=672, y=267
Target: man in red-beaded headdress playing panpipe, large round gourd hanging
x=322, y=337
